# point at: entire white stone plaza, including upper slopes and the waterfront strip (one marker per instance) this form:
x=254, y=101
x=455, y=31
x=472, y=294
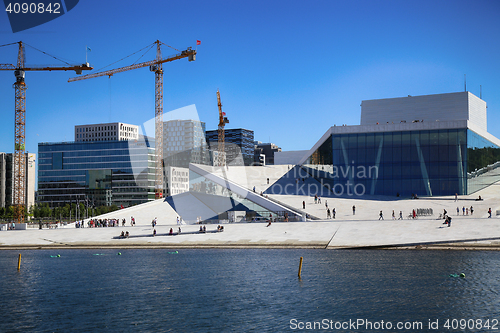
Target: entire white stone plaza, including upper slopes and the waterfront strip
x=360, y=230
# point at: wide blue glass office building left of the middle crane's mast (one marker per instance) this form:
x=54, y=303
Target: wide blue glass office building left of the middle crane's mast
x=104, y=173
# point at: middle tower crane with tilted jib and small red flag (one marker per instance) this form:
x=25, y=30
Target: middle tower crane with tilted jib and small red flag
x=156, y=67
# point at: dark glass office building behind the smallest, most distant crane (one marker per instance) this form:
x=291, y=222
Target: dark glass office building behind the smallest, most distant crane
x=239, y=144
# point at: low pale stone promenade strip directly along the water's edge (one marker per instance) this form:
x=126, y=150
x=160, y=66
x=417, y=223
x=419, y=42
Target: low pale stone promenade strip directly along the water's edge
x=470, y=233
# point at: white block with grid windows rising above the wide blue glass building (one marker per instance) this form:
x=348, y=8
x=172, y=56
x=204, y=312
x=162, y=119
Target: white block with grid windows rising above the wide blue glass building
x=106, y=132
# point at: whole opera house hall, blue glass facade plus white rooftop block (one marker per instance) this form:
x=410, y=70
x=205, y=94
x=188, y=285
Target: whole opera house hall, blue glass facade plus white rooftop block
x=422, y=145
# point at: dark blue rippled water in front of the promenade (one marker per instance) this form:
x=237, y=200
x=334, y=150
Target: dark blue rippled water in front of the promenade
x=245, y=290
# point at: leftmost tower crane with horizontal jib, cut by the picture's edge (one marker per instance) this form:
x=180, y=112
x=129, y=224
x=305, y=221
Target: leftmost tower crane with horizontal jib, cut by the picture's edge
x=19, y=197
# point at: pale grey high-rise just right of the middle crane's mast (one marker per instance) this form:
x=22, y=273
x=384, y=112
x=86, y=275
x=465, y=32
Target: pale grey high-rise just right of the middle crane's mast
x=184, y=142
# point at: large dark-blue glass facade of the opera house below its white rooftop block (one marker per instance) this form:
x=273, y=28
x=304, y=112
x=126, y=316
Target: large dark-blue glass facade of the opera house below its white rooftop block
x=424, y=163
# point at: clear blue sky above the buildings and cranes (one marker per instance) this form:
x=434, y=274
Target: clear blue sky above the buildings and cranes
x=286, y=69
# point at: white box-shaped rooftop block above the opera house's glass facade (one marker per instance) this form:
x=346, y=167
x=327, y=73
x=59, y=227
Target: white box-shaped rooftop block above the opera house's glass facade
x=428, y=108
